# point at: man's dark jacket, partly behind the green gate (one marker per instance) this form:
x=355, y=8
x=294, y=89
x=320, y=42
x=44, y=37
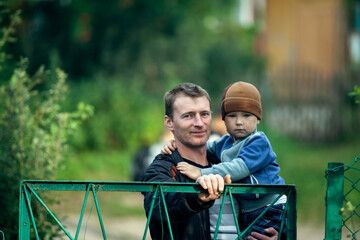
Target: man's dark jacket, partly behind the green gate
x=189, y=218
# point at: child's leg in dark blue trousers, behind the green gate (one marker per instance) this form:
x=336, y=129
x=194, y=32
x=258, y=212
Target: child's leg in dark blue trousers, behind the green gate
x=272, y=218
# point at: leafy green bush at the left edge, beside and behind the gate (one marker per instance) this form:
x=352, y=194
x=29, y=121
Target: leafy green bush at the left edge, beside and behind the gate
x=34, y=133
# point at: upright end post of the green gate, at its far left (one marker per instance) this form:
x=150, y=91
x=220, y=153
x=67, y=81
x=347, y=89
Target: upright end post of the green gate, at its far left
x=24, y=216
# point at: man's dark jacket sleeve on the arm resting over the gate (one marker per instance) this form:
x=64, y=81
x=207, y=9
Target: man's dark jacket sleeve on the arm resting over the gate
x=179, y=205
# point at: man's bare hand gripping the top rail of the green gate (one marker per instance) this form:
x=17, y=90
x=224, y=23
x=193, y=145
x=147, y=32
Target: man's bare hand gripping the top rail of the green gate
x=214, y=184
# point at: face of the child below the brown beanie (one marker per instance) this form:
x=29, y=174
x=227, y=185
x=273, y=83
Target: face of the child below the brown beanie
x=240, y=124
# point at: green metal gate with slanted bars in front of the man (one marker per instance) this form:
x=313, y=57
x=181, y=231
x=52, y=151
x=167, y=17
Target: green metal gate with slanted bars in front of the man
x=29, y=189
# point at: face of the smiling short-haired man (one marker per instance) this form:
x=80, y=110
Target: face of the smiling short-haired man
x=191, y=122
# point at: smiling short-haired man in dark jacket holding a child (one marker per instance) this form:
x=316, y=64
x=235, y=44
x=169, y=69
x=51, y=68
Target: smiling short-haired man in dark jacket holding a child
x=188, y=116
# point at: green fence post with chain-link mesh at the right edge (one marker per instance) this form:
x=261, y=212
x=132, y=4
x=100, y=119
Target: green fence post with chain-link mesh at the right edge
x=342, y=208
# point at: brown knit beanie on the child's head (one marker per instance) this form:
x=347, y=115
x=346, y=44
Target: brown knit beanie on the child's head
x=241, y=96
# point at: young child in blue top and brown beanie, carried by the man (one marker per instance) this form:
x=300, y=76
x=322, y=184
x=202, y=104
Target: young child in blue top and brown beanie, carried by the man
x=246, y=154
